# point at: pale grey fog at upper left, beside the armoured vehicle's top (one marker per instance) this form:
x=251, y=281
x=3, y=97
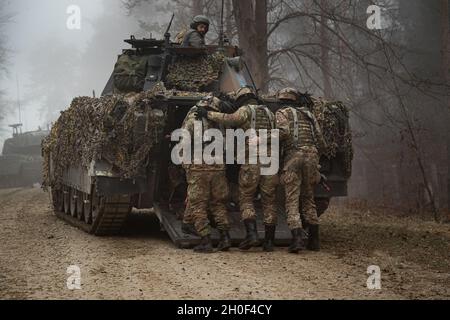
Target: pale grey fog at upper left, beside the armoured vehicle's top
x=46, y=55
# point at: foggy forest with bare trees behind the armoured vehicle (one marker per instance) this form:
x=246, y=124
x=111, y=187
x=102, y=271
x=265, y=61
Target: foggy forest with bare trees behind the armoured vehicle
x=394, y=78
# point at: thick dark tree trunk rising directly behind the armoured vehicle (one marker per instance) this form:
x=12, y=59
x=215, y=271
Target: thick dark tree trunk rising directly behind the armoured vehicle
x=251, y=22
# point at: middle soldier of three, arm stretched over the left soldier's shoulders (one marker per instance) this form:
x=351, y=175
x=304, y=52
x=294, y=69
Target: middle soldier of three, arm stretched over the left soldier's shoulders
x=251, y=115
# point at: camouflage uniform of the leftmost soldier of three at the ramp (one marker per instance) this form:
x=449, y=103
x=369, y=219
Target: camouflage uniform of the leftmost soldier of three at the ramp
x=207, y=188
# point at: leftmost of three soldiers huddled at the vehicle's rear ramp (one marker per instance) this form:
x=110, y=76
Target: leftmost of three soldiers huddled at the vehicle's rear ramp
x=207, y=189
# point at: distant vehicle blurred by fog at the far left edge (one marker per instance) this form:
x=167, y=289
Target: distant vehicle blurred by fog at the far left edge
x=21, y=159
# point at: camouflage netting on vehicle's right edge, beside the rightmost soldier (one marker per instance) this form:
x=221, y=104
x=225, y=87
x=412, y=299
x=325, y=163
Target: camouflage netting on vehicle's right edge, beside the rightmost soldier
x=333, y=119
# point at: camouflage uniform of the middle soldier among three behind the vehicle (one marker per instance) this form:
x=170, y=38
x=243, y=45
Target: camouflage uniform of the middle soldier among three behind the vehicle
x=250, y=178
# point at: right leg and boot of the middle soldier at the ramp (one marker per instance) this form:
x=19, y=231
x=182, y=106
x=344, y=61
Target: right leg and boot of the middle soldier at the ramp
x=268, y=187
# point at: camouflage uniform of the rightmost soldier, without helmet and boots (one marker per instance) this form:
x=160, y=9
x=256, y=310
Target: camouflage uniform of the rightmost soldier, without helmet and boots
x=302, y=141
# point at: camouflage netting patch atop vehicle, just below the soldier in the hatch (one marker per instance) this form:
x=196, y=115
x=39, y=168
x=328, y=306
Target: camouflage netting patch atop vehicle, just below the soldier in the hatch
x=195, y=73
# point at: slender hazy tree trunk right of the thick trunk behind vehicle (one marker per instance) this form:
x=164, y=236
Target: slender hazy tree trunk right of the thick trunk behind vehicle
x=325, y=53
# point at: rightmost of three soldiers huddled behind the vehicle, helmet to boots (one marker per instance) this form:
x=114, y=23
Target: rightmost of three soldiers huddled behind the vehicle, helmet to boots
x=302, y=143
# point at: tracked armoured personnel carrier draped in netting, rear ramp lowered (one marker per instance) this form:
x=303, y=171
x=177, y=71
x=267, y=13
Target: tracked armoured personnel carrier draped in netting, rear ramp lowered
x=109, y=155
